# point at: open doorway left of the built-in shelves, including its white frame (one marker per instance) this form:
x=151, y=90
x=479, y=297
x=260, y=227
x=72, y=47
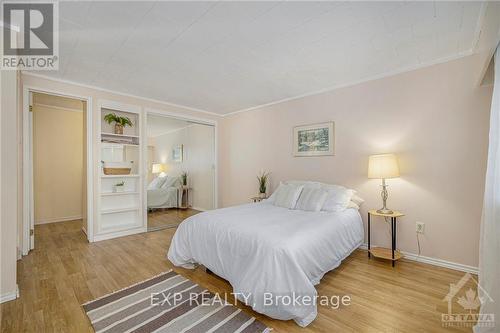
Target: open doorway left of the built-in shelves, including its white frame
x=57, y=177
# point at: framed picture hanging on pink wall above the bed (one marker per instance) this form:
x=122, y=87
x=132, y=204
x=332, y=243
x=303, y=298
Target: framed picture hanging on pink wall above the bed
x=314, y=140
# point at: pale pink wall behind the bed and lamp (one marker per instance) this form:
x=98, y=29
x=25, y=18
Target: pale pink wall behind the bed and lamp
x=435, y=119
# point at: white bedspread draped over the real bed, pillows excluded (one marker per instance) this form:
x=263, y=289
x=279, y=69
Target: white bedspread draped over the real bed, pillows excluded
x=261, y=249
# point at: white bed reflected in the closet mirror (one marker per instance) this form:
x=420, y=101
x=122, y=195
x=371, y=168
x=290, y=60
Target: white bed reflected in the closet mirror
x=165, y=195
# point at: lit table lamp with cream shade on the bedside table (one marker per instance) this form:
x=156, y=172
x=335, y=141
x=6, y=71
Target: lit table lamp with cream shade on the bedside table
x=383, y=166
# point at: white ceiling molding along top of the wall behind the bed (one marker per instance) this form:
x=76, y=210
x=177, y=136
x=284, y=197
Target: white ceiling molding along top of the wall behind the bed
x=353, y=83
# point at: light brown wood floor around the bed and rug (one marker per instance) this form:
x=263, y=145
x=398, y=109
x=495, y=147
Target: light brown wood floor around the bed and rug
x=65, y=271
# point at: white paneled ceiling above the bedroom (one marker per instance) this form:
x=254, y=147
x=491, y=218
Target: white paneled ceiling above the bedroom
x=227, y=56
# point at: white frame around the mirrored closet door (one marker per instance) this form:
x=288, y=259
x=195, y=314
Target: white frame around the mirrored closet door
x=193, y=119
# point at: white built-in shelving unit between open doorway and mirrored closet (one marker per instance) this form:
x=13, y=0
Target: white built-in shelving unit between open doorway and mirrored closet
x=120, y=210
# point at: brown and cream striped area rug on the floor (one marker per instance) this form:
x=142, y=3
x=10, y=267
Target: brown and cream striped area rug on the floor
x=168, y=303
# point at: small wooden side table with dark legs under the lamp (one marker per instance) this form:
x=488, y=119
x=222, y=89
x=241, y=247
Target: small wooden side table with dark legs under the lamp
x=381, y=252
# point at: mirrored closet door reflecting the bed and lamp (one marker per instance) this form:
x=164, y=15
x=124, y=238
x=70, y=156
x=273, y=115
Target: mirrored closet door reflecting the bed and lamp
x=181, y=173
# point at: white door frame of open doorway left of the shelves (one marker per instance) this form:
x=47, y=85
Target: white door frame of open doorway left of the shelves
x=27, y=138
